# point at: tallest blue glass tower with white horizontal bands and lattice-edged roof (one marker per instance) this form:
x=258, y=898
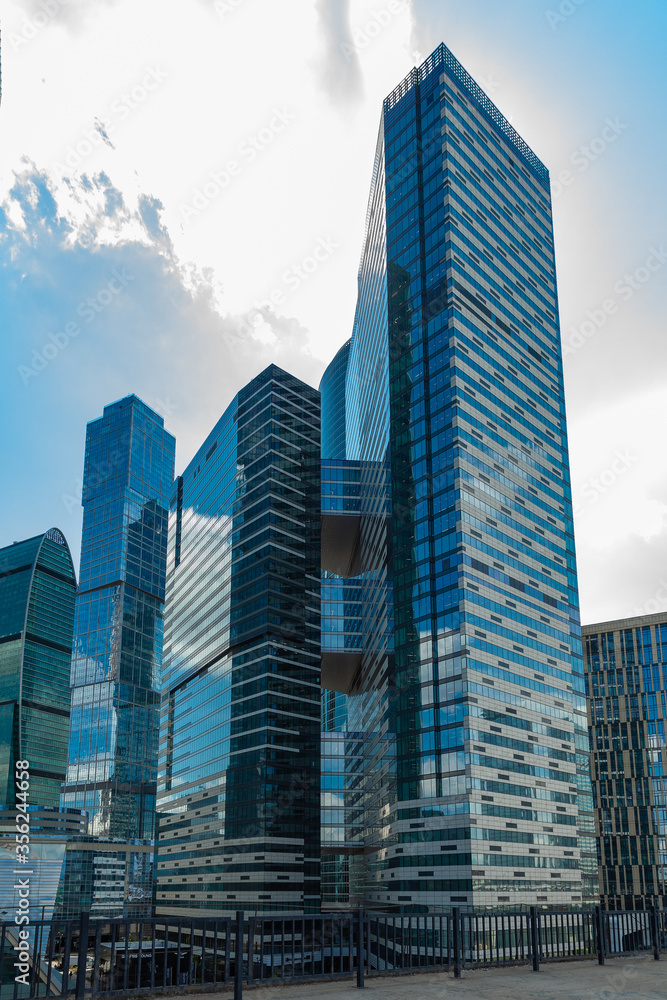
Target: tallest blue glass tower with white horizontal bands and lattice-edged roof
x=478, y=785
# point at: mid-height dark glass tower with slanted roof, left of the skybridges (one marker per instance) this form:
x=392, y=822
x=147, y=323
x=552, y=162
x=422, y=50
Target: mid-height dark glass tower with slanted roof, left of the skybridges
x=239, y=786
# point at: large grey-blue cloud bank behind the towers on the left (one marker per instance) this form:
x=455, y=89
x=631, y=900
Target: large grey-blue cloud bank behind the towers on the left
x=94, y=305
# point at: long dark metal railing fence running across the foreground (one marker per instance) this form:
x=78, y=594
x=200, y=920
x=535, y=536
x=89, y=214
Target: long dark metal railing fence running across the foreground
x=169, y=954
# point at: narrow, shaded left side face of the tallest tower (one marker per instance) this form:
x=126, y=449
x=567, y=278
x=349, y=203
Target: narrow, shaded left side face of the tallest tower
x=370, y=704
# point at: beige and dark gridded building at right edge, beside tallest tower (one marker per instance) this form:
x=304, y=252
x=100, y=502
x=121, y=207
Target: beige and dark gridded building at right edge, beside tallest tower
x=626, y=687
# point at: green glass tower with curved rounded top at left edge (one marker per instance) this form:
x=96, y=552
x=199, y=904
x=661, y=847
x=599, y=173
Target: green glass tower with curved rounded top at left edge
x=37, y=590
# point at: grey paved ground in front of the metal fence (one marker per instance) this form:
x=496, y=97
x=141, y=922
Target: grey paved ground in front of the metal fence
x=620, y=979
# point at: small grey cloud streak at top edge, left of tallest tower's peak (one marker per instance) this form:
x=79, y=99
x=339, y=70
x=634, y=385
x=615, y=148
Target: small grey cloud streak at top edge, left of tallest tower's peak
x=339, y=71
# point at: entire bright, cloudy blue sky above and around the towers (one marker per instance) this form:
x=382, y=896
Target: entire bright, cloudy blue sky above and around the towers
x=167, y=174
